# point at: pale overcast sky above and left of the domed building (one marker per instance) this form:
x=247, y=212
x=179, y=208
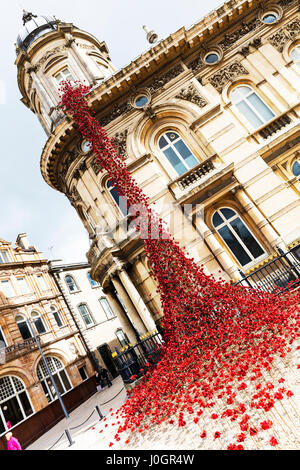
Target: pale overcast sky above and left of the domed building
x=28, y=204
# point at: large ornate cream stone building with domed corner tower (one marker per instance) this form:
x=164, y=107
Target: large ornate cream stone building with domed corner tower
x=208, y=117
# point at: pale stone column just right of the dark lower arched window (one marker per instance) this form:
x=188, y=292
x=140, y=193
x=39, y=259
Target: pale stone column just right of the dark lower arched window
x=258, y=218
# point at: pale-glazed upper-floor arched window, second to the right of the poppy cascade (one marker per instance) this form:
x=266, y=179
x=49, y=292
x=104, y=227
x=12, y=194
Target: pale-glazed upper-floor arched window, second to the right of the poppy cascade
x=253, y=108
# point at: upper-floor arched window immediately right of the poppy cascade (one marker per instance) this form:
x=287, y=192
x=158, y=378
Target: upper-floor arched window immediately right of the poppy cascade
x=177, y=152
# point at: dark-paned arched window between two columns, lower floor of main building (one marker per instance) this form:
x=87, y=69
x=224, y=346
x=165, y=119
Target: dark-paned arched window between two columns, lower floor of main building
x=237, y=236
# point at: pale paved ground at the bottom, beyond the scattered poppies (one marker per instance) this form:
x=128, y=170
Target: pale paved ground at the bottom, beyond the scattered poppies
x=91, y=433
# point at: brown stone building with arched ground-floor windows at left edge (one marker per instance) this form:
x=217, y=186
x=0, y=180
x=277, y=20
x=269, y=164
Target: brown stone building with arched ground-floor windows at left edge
x=29, y=292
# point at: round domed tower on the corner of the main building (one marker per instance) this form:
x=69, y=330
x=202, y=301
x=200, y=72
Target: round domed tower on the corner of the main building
x=49, y=51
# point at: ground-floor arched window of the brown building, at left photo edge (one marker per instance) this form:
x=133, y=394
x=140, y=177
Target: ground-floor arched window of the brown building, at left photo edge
x=15, y=405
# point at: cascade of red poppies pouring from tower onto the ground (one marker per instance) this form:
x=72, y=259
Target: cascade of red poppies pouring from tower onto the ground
x=220, y=339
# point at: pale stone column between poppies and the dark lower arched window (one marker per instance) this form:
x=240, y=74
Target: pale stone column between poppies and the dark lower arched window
x=216, y=248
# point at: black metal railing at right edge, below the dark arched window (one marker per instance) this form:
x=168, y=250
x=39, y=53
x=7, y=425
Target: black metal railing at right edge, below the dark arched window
x=278, y=275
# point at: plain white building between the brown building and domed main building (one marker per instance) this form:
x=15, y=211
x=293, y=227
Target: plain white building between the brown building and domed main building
x=95, y=315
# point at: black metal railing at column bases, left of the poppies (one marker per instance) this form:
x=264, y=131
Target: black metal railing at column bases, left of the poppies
x=133, y=361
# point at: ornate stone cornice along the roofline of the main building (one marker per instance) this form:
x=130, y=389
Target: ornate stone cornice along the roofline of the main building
x=155, y=64
